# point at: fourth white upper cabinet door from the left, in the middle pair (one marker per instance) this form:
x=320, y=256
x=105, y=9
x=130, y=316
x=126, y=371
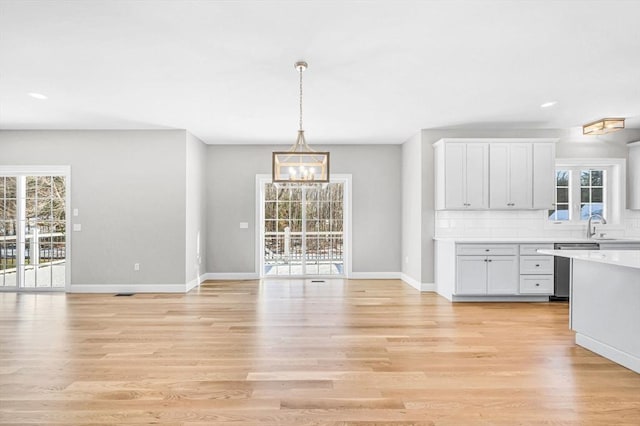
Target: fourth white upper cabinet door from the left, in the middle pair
x=520, y=176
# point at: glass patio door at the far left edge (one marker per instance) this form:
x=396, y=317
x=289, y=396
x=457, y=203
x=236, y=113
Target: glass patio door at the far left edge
x=33, y=230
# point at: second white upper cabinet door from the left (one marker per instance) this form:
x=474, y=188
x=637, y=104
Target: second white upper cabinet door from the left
x=477, y=175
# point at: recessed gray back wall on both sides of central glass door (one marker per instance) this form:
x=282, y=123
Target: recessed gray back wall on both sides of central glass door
x=231, y=199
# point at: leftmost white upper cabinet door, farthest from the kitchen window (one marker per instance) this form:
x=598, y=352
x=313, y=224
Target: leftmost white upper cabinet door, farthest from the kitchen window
x=454, y=176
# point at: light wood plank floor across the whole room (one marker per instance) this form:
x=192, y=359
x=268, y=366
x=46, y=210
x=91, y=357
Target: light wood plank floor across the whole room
x=289, y=353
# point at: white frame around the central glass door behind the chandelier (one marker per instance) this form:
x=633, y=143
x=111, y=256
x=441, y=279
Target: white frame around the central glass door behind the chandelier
x=346, y=180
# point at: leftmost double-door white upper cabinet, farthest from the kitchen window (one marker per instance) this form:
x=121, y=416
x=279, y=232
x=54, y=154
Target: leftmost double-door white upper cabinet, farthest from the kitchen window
x=462, y=175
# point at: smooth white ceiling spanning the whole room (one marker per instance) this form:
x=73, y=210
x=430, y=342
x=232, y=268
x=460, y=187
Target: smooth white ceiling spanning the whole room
x=378, y=70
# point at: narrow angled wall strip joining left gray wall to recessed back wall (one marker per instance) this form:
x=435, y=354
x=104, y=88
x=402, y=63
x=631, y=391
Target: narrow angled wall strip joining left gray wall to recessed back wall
x=196, y=208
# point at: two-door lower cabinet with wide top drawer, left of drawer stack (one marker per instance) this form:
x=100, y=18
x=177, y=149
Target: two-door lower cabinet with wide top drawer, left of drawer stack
x=486, y=274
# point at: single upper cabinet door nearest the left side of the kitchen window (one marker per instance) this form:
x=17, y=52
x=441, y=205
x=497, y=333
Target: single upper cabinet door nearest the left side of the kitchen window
x=544, y=175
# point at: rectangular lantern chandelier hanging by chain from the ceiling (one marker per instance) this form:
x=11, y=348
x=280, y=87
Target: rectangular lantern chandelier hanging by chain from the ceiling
x=300, y=164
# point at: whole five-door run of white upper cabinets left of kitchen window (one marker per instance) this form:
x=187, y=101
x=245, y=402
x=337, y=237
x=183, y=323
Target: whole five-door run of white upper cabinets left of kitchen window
x=501, y=174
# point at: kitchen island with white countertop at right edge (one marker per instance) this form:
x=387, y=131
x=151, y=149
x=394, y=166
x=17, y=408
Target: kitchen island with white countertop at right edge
x=605, y=302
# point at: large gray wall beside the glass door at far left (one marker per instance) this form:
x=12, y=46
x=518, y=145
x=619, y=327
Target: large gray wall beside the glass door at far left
x=129, y=188
